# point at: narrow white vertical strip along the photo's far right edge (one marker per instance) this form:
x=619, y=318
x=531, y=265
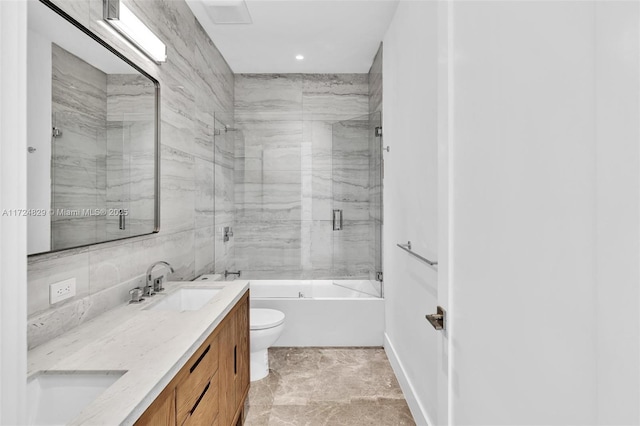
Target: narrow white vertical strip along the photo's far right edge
x=617, y=212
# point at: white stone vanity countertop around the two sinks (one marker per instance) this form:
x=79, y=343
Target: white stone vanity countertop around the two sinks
x=151, y=346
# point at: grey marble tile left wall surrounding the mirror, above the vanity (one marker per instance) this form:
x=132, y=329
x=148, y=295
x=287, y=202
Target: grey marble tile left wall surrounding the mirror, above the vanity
x=196, y=84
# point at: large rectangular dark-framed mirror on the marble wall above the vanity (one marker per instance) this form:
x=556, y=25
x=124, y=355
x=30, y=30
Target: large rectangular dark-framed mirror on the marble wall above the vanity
x=92, y=165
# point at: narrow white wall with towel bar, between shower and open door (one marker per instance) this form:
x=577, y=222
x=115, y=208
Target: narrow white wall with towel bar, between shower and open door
x=410, y=126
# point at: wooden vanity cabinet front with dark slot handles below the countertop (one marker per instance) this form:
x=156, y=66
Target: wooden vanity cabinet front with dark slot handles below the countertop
x=213, y=385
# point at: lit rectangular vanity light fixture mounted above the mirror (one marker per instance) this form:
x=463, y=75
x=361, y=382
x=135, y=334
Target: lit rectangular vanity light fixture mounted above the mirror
x=124, y=21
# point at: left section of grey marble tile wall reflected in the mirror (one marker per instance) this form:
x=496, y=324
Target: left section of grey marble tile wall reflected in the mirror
x=79, y=109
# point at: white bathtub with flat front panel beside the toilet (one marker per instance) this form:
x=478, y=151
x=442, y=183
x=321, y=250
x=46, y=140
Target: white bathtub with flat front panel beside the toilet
x=323, y=312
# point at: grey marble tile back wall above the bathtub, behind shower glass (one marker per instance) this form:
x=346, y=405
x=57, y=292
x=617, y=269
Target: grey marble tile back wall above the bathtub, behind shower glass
x=293, y=165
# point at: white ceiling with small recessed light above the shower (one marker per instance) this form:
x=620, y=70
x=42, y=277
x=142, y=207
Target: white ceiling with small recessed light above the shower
x=334, y=36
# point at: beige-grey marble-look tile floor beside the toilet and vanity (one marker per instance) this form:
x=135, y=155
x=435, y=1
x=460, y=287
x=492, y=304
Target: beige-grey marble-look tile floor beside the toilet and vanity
x=327, y=386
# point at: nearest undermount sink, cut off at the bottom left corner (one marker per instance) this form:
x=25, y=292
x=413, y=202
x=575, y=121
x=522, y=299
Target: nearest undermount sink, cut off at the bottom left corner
x=55, y=398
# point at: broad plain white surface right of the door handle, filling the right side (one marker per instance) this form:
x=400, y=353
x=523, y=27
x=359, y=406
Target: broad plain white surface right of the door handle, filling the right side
x=544, y=247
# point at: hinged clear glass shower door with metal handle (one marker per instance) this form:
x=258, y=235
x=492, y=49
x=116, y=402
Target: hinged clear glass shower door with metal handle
x=357, y=206
